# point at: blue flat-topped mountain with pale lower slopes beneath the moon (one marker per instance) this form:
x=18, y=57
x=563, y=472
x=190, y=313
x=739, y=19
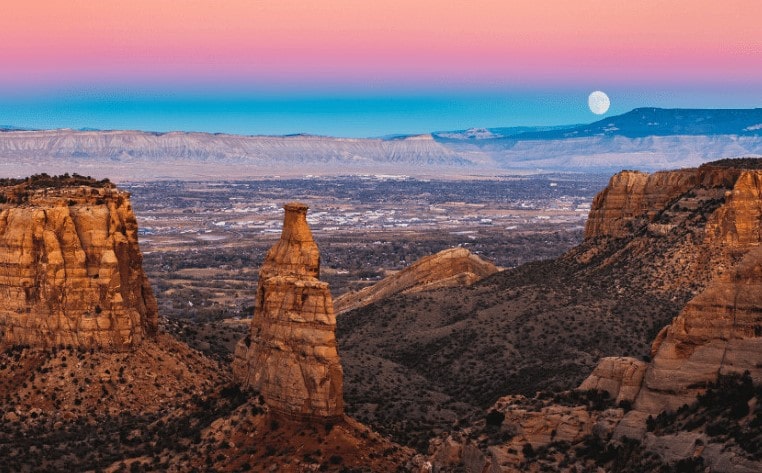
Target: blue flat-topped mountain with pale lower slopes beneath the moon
x=645, y=138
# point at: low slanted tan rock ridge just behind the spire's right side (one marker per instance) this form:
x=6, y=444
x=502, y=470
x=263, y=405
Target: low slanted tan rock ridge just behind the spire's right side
x=448, y=268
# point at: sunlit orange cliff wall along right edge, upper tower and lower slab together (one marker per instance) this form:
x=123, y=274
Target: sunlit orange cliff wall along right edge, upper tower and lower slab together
x=720, y=330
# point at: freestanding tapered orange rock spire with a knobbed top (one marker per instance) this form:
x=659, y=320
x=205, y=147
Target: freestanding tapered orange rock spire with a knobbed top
x=290, y=355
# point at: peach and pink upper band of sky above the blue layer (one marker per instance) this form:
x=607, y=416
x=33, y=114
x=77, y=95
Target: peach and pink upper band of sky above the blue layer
x=487, y=42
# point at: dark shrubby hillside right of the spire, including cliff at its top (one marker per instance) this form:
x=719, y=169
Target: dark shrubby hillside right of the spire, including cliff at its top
x=543, y=325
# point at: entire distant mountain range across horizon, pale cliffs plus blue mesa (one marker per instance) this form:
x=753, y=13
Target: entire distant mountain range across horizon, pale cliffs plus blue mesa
x=644, y=138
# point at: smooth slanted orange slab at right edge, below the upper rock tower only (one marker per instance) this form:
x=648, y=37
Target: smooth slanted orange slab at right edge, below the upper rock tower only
x=718, y=332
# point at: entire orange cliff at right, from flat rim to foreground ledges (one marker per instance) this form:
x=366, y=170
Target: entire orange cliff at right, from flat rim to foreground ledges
x=694, y=403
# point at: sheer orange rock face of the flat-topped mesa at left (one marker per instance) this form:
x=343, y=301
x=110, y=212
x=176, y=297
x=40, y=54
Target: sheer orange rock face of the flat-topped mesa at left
x=71, y=270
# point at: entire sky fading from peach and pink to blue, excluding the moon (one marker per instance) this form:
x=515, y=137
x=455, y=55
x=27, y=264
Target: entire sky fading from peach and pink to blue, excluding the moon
x=364, y=68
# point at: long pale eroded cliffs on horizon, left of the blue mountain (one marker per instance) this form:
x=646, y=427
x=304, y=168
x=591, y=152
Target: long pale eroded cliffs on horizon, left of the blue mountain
x=133, y=155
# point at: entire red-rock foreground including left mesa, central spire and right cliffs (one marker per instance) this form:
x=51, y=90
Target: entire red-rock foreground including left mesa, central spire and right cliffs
x=636, y=350
